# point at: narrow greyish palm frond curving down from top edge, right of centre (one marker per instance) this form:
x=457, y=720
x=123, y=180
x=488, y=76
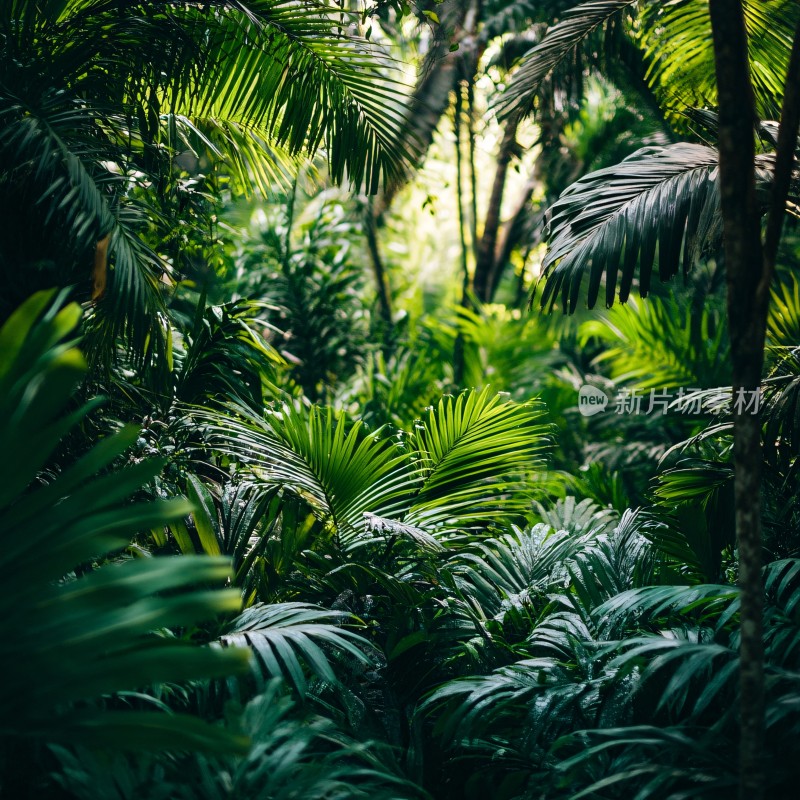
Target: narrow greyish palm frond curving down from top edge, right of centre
x=560, y=42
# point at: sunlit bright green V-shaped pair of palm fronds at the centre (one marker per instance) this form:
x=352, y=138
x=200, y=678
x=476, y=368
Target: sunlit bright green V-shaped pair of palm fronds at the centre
x=457, y=468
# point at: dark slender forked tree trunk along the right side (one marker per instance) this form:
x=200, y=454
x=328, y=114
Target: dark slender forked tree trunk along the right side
x=749, y=267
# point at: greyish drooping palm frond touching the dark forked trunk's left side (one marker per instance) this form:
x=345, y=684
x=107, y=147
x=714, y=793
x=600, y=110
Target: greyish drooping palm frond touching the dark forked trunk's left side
x=659, y=205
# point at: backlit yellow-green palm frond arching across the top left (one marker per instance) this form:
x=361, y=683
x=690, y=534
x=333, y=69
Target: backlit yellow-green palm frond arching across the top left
x=294, y=73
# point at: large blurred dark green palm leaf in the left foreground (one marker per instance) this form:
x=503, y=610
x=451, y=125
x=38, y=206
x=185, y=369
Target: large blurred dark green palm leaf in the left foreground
x=68, y=638
